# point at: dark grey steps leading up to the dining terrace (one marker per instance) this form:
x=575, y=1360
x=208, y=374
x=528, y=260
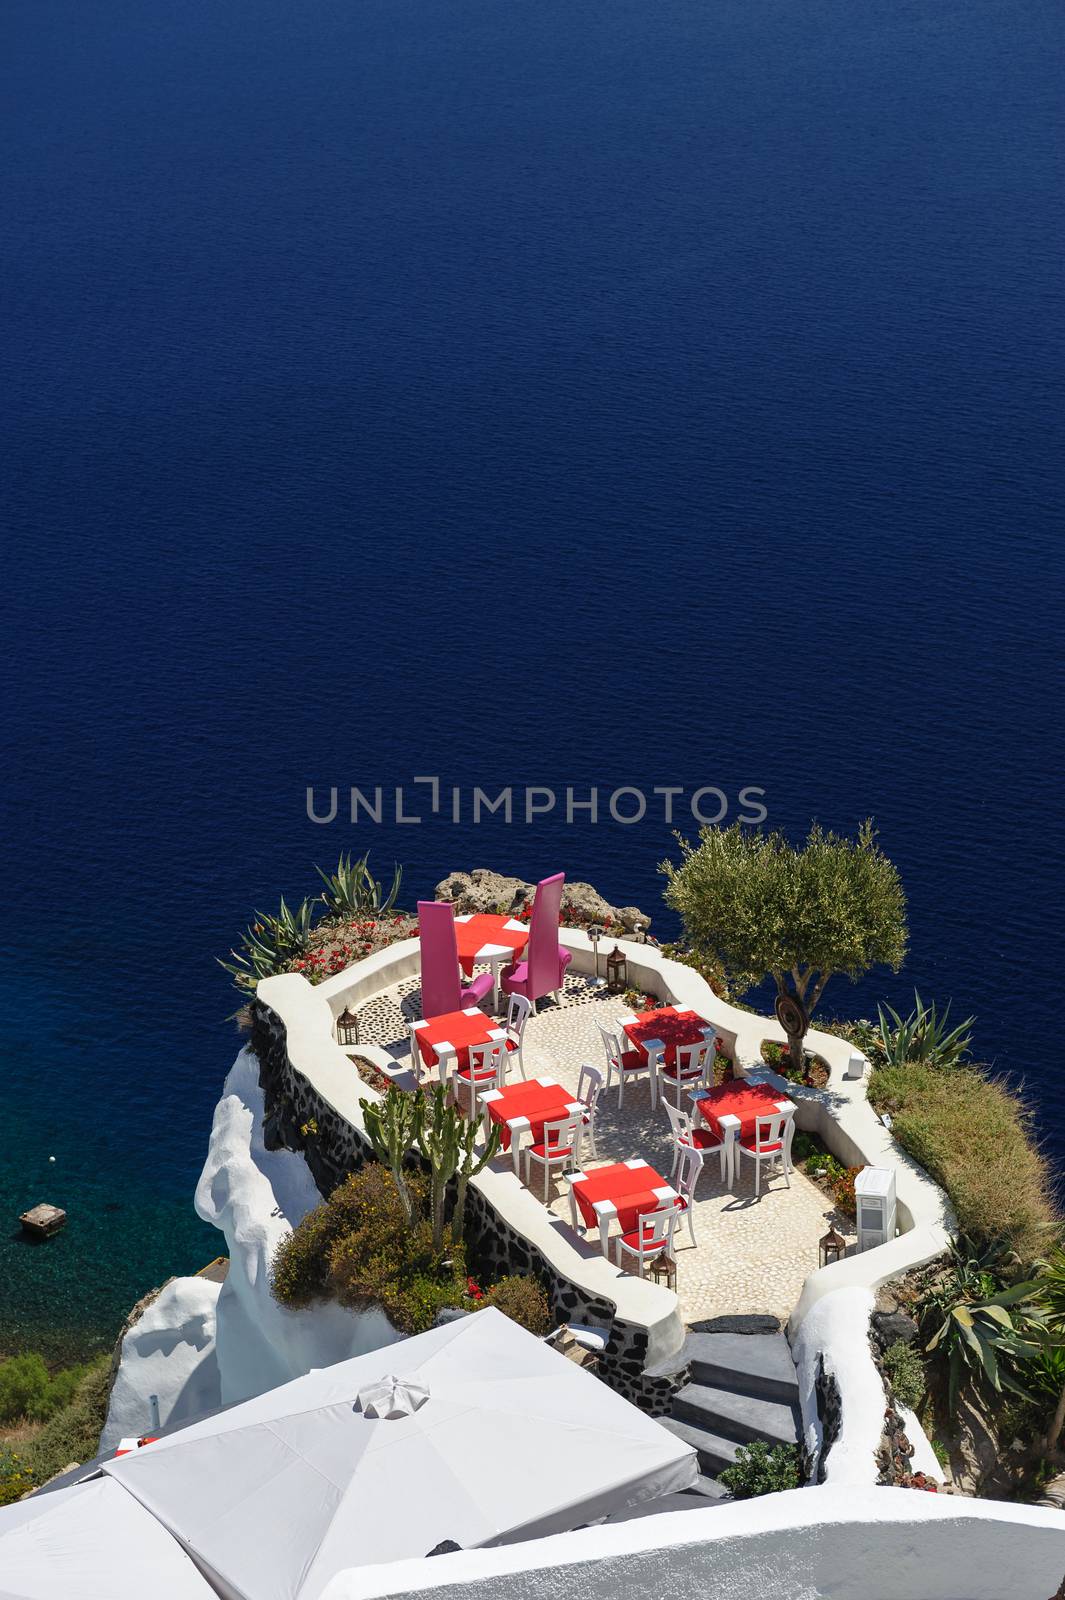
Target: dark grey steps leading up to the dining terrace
x=743, y=1386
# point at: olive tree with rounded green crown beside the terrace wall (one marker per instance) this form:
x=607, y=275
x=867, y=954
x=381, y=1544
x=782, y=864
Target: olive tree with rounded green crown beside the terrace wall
x=765, y=910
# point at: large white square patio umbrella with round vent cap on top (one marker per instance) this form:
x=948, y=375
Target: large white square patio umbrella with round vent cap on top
x=473, y=1434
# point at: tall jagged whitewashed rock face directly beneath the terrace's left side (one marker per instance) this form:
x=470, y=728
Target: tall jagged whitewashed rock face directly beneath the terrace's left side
x=257, y=1198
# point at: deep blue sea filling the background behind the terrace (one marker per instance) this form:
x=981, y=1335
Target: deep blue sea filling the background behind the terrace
x=588, y=393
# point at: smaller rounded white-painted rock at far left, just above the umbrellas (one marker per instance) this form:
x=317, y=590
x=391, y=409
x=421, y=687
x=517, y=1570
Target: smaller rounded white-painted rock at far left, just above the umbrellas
x=169, y=1353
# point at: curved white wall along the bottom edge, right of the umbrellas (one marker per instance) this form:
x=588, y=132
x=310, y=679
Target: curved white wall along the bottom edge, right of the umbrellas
x=808, y=1545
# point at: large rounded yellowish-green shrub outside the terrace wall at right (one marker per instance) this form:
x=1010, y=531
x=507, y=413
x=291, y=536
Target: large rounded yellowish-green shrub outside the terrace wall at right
x=973, y=1134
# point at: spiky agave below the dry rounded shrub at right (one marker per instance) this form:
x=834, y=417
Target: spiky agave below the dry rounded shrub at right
x=983, y=1330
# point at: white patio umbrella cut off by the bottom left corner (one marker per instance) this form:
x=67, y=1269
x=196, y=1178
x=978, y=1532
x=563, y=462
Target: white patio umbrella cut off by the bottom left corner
x=92, y=1542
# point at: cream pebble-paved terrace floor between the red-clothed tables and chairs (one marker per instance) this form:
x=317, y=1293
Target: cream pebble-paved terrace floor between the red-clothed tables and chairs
x=752, y=1254
